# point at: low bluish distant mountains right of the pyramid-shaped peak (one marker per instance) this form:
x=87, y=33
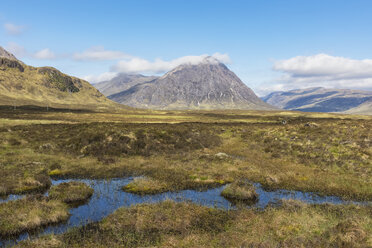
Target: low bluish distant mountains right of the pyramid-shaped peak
x=319, y=99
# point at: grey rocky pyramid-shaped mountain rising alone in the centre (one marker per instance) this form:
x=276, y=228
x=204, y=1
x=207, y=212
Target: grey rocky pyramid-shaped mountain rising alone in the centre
x=207, y=85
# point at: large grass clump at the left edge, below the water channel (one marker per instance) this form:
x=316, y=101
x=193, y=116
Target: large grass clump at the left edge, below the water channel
x=30, y=213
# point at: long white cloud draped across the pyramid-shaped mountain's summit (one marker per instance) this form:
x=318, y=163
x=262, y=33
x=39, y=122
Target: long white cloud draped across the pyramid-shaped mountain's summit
x=139, y=65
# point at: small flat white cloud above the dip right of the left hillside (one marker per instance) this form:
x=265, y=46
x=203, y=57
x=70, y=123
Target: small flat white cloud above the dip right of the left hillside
x=99, y=53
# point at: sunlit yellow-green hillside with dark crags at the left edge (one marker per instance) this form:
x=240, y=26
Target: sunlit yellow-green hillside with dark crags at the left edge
x=21, y=84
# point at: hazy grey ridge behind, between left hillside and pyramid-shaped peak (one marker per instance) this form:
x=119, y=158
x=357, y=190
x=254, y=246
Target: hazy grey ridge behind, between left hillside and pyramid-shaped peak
x=121, y=82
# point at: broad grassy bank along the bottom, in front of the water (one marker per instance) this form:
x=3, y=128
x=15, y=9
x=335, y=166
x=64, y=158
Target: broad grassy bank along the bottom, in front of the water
x=170, y=224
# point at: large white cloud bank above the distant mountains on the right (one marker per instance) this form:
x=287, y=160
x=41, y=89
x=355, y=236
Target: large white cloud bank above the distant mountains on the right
x=320, y=70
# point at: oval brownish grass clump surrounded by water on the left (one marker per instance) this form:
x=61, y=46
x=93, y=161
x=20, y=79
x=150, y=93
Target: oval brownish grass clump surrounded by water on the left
x=71, y=192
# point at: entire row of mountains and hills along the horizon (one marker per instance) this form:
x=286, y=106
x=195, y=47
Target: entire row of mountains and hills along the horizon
x=207, y=85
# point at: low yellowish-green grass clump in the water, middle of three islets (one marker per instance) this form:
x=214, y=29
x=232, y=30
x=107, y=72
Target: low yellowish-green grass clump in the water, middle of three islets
x=145, y=185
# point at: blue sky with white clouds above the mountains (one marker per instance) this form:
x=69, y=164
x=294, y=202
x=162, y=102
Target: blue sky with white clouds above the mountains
x=271, y=45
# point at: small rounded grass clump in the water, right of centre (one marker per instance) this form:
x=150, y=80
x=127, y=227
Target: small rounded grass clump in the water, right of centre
x=240, y=191
